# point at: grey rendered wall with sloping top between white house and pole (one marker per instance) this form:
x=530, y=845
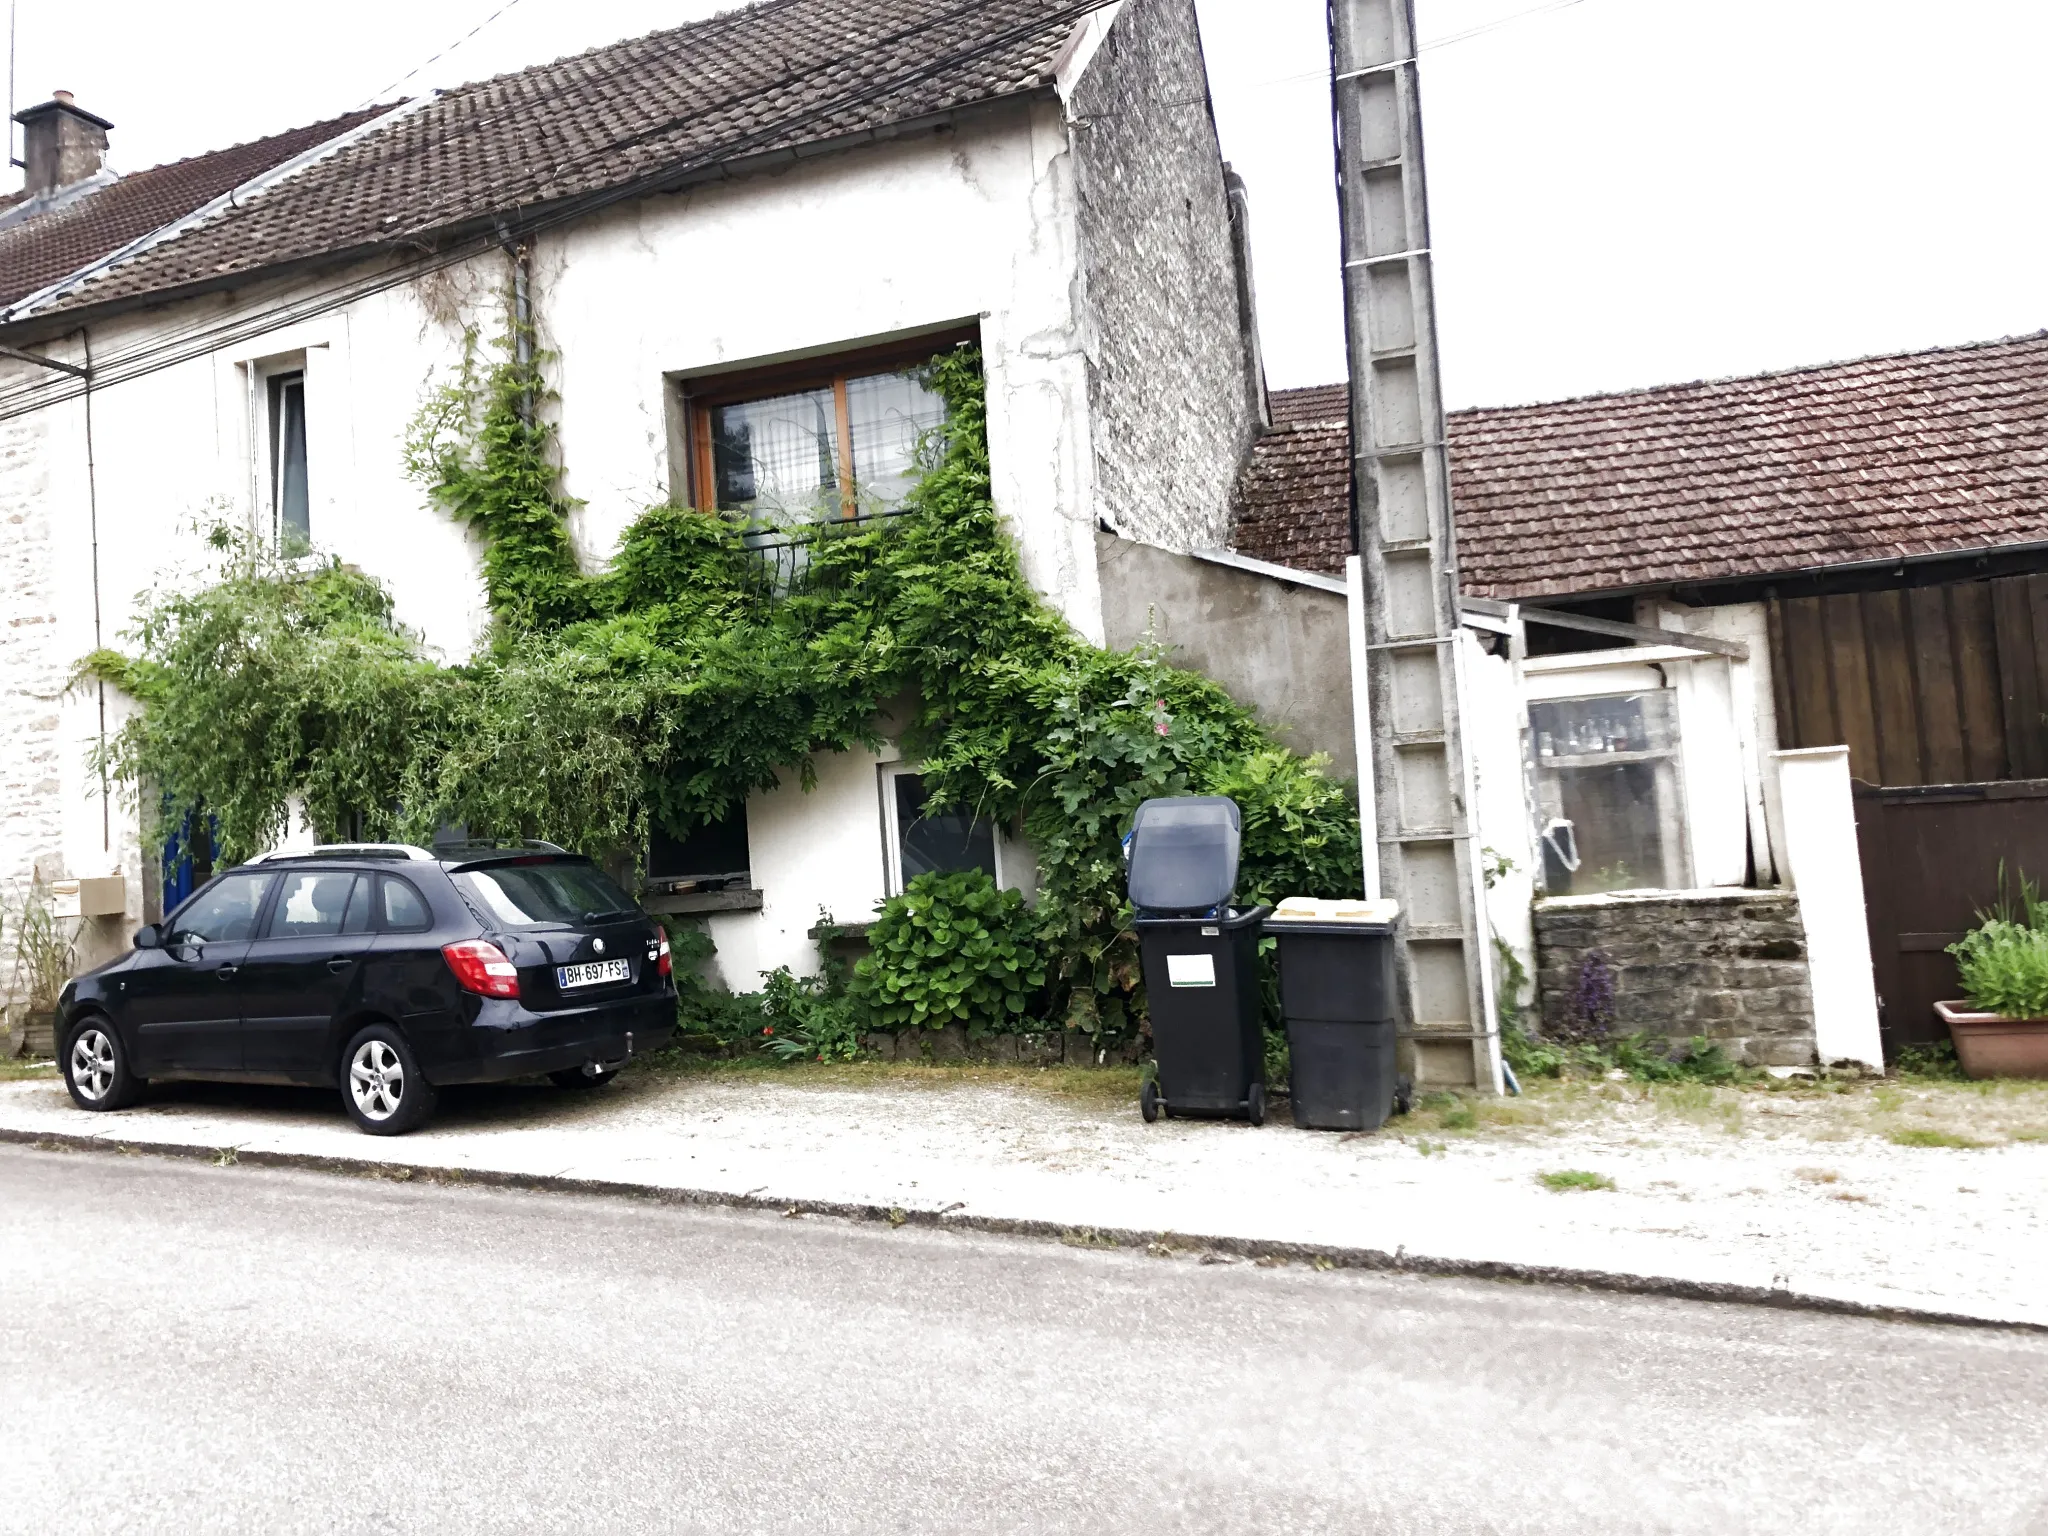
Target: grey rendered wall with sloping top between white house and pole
x=1275, y=642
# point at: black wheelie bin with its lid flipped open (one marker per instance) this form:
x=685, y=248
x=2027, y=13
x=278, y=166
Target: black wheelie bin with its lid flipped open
x=1201, y=962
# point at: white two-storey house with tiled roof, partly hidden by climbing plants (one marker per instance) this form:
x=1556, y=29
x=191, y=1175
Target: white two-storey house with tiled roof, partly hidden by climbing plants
x=734, y=239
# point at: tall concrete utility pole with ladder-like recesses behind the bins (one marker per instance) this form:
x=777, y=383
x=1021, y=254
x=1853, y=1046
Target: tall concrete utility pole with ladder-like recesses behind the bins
x=1418, y=800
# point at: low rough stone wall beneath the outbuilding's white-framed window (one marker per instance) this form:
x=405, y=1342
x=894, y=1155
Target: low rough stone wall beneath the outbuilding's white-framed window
x=1730, y=966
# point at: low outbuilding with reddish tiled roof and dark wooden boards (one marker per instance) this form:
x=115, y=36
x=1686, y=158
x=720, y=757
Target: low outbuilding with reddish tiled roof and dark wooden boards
x=1865, y=550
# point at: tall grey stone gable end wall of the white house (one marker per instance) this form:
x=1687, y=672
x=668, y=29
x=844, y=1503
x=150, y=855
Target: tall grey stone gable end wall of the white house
x=1172, y=384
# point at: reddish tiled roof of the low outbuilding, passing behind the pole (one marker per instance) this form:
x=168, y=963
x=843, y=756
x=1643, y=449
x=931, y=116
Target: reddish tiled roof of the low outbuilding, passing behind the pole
x=1918, y=454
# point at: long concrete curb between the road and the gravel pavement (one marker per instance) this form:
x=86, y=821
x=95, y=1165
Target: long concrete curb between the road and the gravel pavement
x=1250, y=1248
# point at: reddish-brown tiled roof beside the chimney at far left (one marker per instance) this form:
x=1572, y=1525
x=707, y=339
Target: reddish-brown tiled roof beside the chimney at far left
x=46, y=247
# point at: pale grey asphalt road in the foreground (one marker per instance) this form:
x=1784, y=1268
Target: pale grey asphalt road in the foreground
x=230, y=1349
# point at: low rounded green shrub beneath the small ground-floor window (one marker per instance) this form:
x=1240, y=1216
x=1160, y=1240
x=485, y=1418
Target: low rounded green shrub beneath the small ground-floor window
x=953, y=949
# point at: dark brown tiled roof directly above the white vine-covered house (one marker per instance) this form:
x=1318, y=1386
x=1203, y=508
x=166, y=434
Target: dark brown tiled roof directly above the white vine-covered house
x=773, y=77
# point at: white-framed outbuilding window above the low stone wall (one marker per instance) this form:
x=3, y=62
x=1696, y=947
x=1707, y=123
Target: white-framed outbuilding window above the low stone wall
x=1605, y=777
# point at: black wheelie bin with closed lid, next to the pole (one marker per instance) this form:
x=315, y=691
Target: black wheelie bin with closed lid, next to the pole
x=1338, y=998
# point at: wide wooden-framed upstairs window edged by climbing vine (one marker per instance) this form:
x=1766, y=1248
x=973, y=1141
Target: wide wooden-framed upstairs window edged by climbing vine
x=837, y=437
